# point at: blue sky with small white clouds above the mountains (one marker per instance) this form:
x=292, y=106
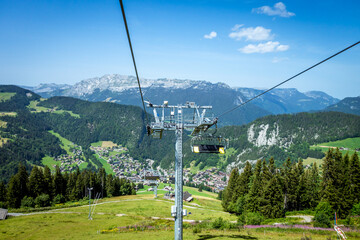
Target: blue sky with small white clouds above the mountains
x=242, y=43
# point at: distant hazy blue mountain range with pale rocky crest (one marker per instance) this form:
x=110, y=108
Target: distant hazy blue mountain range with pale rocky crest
x=124, y=89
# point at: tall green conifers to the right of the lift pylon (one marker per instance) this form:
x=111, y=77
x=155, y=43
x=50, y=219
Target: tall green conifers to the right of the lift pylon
x=271, y=191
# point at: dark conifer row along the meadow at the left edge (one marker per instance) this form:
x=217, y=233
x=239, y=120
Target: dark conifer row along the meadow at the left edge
x=42, y=188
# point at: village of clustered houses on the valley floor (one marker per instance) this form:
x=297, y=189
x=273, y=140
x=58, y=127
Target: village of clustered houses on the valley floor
x=116, y=160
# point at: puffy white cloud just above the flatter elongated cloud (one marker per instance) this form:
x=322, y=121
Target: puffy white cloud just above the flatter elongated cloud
x=253, y=34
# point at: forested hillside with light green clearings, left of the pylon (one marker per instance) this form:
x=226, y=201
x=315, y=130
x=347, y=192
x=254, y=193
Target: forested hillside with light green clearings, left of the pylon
x=25, y=136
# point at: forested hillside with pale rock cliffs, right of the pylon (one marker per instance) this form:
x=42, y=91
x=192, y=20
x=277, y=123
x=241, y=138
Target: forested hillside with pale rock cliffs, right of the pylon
x=288, y=135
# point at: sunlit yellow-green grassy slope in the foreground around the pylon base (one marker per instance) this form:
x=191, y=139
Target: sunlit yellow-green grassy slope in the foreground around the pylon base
x=72, y=223
